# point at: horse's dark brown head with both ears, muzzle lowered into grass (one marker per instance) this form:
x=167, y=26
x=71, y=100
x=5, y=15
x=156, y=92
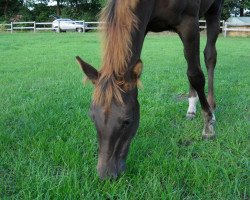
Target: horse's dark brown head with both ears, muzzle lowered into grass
x=115, y=125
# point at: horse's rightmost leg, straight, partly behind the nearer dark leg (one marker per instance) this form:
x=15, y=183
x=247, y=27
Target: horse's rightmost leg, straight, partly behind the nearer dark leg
x=210, y=53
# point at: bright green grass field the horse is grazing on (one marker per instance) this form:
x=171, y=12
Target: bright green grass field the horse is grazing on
x=48, y=145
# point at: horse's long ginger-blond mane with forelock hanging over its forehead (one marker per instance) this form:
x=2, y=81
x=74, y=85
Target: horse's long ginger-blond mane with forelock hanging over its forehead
x=120, y=22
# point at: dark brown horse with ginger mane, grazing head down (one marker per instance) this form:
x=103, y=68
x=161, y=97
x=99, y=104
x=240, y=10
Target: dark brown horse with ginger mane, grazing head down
x=115, y=108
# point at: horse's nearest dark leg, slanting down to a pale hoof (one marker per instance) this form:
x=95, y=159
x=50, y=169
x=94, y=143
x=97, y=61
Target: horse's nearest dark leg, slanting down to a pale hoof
x=189, y=33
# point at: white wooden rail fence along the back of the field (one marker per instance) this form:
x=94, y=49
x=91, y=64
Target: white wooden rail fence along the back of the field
x=39, y=26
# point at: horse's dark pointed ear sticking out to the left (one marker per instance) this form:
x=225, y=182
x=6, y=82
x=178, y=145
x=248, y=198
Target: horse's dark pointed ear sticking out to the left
x=90, y=71
